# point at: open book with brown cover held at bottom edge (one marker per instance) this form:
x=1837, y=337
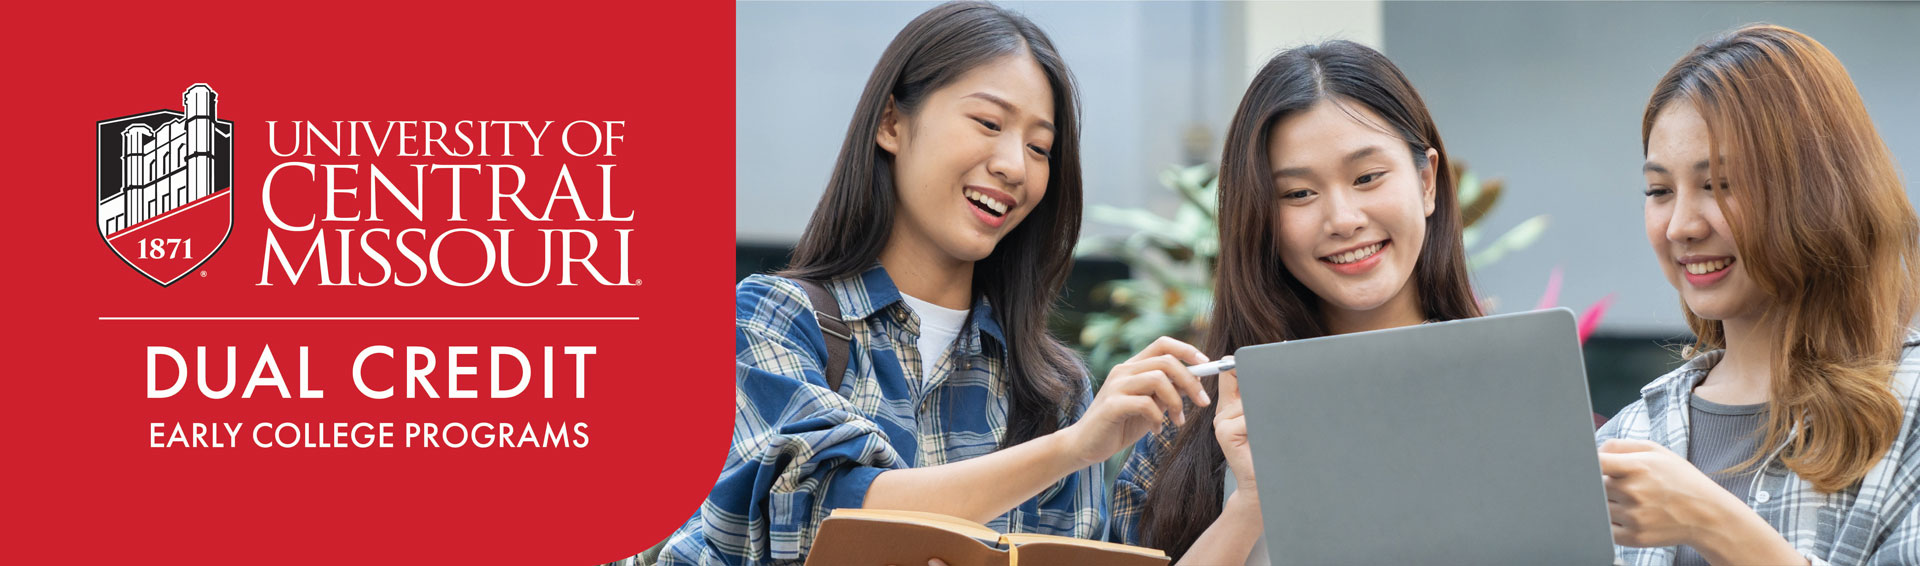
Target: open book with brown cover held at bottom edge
x=909, y=538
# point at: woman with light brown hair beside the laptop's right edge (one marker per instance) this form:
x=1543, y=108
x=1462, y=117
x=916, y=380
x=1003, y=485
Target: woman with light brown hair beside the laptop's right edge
x=1779, y=216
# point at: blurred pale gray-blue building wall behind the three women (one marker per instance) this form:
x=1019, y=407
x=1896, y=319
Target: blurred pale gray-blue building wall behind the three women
x=1543, y=95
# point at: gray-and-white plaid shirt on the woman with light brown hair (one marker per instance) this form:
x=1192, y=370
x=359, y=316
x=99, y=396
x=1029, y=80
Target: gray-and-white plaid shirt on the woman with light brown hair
x=1871, y=523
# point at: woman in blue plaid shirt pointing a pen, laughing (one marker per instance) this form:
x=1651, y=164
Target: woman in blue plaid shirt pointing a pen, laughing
x=946, y=237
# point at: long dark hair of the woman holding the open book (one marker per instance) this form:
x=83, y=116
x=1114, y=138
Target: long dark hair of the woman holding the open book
x=1028, y=270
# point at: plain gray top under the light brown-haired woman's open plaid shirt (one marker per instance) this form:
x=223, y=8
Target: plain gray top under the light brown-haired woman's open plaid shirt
x=1721, y=436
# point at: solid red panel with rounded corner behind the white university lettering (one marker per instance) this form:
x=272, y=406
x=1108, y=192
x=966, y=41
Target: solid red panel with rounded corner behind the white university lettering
x=84, y=483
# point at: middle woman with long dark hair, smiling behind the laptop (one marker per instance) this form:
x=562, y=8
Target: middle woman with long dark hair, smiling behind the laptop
x=1337, y=216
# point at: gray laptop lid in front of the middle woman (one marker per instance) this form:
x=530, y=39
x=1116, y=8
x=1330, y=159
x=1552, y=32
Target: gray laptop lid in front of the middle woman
x=1466, y=442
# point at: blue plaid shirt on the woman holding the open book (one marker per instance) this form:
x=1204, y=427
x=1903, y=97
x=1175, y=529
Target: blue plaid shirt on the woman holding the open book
x=800, y=450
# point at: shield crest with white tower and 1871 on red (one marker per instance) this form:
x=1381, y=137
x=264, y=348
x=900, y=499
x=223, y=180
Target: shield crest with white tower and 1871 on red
x=166, y=187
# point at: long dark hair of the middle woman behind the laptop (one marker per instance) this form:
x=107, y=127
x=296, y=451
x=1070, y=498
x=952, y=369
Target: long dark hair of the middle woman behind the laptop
x=1255, y=298
